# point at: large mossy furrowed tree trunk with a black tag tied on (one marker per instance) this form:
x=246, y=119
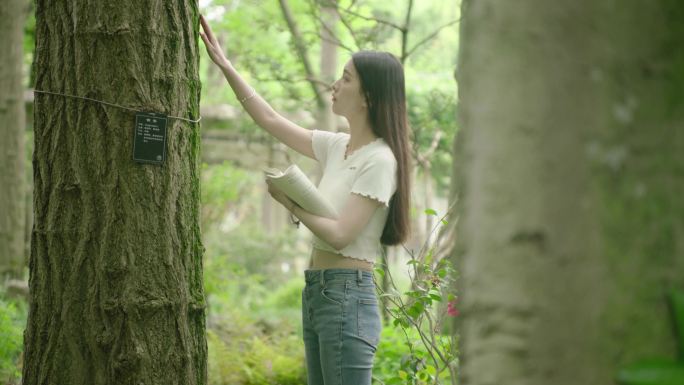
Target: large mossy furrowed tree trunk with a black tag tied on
x=116, y=292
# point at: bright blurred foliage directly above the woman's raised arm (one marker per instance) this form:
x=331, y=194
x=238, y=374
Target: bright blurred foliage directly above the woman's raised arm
x=256, y=39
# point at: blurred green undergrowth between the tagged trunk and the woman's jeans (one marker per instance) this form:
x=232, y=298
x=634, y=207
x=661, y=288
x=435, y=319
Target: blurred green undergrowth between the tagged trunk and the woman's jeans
x=253, y=306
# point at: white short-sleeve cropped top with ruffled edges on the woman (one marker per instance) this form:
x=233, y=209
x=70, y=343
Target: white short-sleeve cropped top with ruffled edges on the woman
x=371, y=171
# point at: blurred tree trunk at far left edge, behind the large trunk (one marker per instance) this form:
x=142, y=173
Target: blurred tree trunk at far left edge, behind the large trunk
x=12, y=118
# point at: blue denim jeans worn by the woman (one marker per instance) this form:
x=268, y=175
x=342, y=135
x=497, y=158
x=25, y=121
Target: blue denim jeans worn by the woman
x=341, y=321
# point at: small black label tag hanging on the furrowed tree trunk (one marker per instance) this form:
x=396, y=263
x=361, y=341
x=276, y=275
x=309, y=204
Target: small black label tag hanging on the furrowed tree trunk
x=149, y=138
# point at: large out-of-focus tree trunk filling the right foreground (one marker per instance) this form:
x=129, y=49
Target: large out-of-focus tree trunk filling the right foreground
x=569, y=183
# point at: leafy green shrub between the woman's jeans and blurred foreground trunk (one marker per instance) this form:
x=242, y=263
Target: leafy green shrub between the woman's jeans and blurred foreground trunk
x=427, y=352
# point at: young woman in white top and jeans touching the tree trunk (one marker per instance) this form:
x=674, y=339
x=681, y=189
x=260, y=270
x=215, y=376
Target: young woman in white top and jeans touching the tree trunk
x=366, y=178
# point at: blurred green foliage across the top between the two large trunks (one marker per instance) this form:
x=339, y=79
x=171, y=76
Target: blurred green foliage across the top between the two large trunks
x=257, y=40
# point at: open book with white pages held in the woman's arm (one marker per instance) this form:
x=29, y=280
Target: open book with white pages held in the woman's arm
x=295, y=184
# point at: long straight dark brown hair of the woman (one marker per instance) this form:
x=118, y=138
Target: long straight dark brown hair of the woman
x=382, y=82
